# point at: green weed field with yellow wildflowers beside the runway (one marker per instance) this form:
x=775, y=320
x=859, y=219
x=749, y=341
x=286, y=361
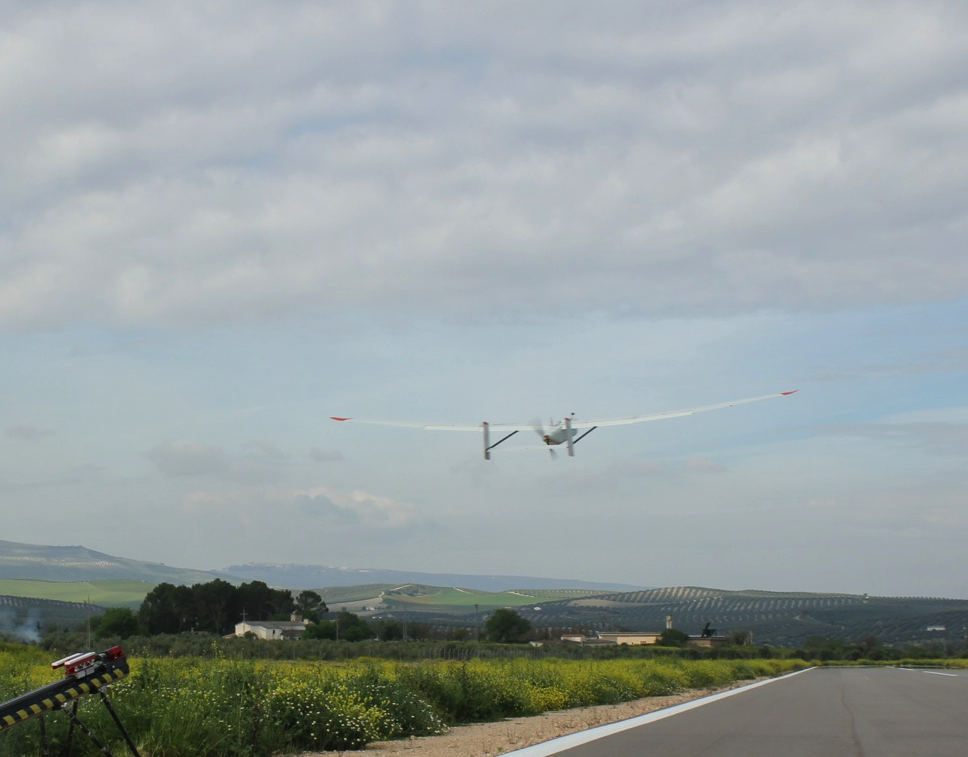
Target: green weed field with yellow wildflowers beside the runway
x=190, y=707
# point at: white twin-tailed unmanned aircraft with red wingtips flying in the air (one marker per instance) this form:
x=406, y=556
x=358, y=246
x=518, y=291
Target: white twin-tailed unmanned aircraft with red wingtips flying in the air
x=565, y=431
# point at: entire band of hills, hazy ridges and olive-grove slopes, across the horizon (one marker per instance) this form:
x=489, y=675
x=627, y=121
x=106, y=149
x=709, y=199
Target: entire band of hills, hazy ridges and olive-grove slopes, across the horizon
x=772, y=617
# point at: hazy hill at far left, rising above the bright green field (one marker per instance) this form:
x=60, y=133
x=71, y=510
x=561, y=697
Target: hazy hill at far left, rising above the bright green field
x=32, y=561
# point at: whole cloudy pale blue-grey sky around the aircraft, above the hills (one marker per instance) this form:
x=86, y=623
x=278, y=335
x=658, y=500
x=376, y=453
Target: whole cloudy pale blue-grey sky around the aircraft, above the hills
x=222, y=223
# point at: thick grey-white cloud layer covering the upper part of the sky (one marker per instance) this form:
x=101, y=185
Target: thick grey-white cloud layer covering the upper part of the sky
x=421, y=164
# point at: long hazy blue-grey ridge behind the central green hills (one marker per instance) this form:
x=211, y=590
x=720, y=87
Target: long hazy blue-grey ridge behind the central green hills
x=321, y=577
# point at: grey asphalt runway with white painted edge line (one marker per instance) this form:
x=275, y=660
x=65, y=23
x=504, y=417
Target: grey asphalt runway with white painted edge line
x=826, y=712
